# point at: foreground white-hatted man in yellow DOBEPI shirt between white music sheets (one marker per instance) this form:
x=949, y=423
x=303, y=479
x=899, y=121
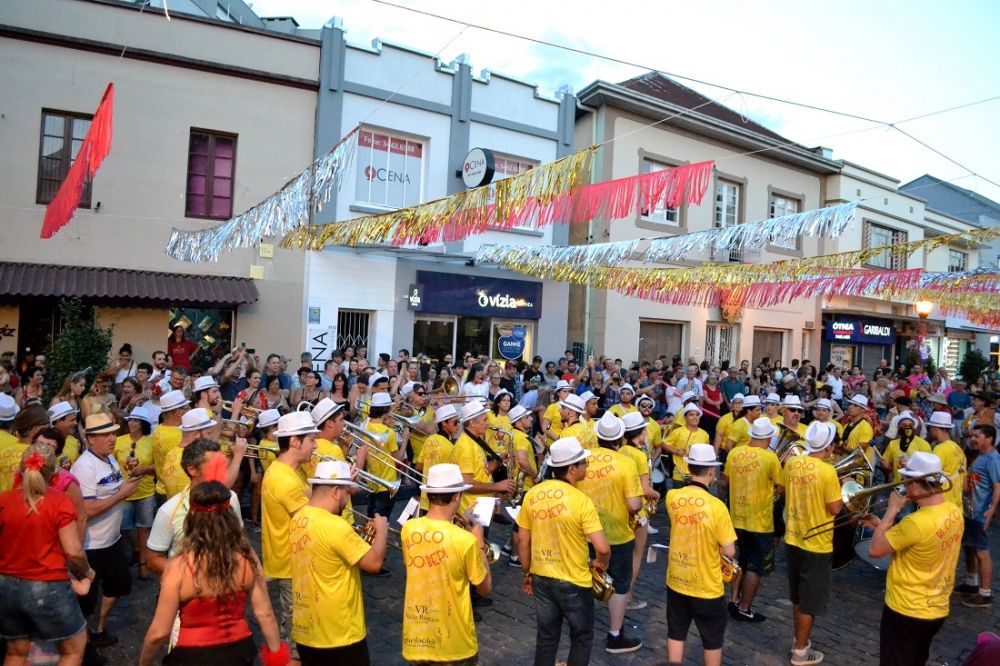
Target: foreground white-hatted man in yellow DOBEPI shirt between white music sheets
x=442, y=560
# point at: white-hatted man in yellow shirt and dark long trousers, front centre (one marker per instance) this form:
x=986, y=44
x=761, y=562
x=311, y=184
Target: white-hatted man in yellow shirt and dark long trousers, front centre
x=555, y=523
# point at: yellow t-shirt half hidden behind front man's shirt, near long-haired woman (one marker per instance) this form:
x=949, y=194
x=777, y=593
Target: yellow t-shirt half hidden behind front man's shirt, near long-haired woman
x=282, y=493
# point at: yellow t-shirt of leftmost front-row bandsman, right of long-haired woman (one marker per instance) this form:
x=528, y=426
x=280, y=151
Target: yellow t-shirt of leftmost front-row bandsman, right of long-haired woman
x=327, y=611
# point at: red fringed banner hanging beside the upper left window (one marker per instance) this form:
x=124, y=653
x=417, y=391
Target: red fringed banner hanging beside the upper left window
x=95, y=147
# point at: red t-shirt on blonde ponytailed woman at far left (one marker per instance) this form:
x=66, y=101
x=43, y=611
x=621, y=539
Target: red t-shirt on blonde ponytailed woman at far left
x=31, y=547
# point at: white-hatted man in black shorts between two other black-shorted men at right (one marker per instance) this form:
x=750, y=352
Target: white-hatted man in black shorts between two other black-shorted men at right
x=752, y=472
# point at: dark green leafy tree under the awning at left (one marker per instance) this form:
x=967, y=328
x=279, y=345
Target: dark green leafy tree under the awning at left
x=81, y=345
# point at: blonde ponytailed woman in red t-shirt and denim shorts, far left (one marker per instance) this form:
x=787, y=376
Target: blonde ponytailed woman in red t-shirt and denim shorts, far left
x=39, y=536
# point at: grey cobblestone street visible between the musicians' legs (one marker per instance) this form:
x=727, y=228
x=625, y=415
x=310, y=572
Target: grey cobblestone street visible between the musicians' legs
x=848, y=635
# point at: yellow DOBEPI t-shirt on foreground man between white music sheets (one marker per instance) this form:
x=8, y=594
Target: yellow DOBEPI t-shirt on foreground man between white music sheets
x=441, y=559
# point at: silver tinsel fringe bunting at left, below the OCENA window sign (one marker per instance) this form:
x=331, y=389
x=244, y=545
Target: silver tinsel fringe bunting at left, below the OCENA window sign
x=288, y=208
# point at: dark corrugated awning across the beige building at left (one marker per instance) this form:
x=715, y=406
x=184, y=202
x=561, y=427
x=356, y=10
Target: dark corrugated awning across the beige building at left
x=118, y=284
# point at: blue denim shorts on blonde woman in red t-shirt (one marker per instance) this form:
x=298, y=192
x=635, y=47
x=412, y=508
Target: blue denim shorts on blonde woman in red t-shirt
x=39, y=610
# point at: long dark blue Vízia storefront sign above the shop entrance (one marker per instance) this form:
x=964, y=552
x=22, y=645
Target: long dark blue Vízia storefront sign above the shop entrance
x=476, y=296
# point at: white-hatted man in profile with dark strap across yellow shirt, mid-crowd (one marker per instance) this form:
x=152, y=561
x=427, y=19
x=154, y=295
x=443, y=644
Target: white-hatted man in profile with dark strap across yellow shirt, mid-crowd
x=471, y=456
